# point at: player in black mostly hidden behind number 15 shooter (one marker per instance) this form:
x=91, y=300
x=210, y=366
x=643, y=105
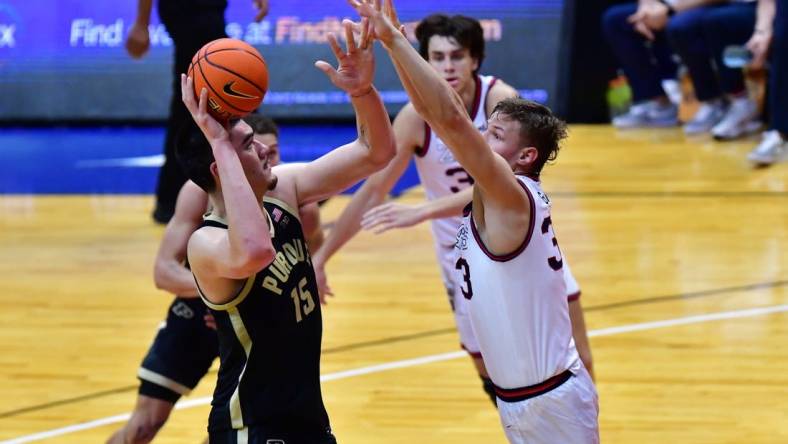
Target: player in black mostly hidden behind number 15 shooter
x=186, y=344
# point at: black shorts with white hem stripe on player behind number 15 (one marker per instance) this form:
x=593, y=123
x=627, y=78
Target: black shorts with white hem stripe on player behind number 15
x=181, y=354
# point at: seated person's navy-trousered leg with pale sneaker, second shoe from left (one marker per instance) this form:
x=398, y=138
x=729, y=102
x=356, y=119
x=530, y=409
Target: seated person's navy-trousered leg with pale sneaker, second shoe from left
x=686, y=36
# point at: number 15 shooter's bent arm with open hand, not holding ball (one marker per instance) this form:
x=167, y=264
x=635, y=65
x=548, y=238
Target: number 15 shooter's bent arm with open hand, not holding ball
x=374, y=147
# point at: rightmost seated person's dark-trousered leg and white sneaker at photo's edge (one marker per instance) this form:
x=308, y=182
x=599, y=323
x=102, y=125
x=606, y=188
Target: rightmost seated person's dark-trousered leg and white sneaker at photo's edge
x=774, y=146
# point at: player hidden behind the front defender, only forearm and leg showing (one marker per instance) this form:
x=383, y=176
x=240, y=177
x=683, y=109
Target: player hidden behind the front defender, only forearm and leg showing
x=396, y=215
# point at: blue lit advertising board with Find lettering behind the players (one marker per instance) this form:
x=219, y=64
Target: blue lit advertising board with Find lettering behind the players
x=65, y=59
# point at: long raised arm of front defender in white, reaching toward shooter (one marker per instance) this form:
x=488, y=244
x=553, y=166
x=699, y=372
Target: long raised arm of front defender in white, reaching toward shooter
x=444, y=110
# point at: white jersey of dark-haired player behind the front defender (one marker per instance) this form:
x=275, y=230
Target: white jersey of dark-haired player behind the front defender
x=440, y=174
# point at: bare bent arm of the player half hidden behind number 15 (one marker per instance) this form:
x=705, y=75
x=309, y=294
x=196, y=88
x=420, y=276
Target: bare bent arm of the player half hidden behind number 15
x=169, y=271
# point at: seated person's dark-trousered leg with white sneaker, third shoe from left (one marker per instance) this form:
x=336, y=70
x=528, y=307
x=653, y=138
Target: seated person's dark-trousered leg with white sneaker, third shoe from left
x=732, y=24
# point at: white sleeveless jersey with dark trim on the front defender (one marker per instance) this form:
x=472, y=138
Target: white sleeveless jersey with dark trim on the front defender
x=518, y=304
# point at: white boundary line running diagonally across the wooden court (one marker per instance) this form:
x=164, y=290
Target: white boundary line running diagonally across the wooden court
x=429, y=359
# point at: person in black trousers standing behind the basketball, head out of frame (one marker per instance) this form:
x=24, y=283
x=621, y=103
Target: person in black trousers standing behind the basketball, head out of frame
x=190, y=24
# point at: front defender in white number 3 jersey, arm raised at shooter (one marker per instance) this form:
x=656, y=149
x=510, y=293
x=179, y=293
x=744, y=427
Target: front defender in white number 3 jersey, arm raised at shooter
x=508, y=256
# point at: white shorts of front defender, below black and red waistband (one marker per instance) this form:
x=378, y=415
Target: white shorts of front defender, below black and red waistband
x=566, y=414
